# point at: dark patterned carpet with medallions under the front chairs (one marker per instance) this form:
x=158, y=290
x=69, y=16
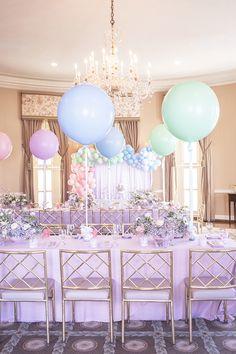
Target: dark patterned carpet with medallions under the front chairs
x=141, y=337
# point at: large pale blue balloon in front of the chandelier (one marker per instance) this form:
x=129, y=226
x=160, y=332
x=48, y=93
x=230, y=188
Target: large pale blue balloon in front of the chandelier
x=86, y=114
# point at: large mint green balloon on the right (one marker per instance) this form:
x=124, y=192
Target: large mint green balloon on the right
x=190, y=110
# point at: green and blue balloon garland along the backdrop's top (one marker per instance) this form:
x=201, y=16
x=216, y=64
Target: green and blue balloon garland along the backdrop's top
x=146, y=159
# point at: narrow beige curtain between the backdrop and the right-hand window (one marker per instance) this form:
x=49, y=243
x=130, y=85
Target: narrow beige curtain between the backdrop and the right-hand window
x=170, y=177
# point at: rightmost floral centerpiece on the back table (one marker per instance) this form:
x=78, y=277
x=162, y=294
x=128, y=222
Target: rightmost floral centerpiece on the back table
x=143, y=200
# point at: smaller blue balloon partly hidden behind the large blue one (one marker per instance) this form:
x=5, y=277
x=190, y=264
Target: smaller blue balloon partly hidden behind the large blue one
x=112, y=144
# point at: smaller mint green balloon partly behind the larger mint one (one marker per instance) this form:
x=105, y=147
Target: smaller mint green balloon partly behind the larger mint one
x=162, y=141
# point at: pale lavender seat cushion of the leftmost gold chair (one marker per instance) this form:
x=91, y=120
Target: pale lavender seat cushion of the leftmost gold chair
x=27, y=294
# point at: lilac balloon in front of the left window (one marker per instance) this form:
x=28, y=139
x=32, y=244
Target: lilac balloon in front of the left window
x=44, y=144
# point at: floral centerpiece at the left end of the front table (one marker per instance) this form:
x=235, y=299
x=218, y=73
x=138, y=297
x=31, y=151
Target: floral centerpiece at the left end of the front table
x=22, y=225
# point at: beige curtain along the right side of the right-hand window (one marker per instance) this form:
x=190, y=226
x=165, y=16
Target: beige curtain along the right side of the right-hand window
x=207, y=192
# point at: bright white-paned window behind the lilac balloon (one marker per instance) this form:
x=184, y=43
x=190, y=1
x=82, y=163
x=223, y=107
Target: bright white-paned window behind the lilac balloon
x=47, y=179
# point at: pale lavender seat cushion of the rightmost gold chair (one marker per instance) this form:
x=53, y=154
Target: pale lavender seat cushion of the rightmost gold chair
x=208, y=293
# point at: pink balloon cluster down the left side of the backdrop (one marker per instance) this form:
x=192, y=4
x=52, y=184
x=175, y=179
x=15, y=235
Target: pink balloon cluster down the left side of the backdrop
x=77, y=180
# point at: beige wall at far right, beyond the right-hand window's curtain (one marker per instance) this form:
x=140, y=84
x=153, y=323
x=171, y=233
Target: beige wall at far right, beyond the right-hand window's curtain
x=224, y=149
